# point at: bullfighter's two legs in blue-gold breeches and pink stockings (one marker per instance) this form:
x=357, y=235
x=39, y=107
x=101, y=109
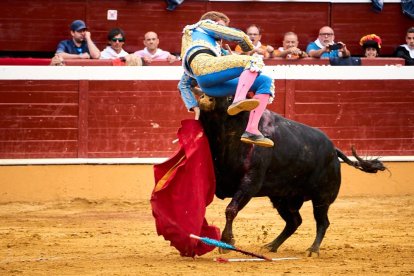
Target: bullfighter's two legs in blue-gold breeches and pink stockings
x=221, y=76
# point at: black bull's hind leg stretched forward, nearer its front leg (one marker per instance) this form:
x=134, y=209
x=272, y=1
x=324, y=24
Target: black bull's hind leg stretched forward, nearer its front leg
x=289, y=211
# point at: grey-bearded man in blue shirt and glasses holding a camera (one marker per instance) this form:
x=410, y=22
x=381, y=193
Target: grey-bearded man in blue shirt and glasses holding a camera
x=325, y=47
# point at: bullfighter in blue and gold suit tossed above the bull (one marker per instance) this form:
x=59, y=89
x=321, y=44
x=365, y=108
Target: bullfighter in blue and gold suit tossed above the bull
x=220, y=76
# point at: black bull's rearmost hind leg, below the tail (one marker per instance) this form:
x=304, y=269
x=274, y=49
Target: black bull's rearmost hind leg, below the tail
x=320, y=212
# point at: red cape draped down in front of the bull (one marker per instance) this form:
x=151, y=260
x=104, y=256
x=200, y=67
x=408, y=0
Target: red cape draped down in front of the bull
x=184, y=187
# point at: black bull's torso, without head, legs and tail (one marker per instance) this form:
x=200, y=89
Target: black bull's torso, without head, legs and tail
x=302, y=157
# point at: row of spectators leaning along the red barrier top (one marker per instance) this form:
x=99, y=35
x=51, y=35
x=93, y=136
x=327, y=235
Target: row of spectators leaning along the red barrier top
x=81, y=46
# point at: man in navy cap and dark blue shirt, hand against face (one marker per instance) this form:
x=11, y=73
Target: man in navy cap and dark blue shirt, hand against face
x=80, y=46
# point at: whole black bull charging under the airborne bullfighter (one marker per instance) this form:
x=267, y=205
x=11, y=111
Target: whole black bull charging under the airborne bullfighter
x=303, y=165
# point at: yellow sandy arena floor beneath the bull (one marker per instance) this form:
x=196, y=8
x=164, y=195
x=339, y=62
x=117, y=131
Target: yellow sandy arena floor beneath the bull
x=367, y=236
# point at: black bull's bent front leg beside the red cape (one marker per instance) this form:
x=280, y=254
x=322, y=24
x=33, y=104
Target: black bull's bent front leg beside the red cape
x=239, y=200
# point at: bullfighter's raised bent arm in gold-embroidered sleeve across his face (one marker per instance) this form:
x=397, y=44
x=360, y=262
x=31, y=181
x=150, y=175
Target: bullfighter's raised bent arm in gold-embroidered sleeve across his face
x=227, y=33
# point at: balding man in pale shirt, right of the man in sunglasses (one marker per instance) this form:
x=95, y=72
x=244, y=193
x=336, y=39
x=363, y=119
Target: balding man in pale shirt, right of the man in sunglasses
x=151, y=52
